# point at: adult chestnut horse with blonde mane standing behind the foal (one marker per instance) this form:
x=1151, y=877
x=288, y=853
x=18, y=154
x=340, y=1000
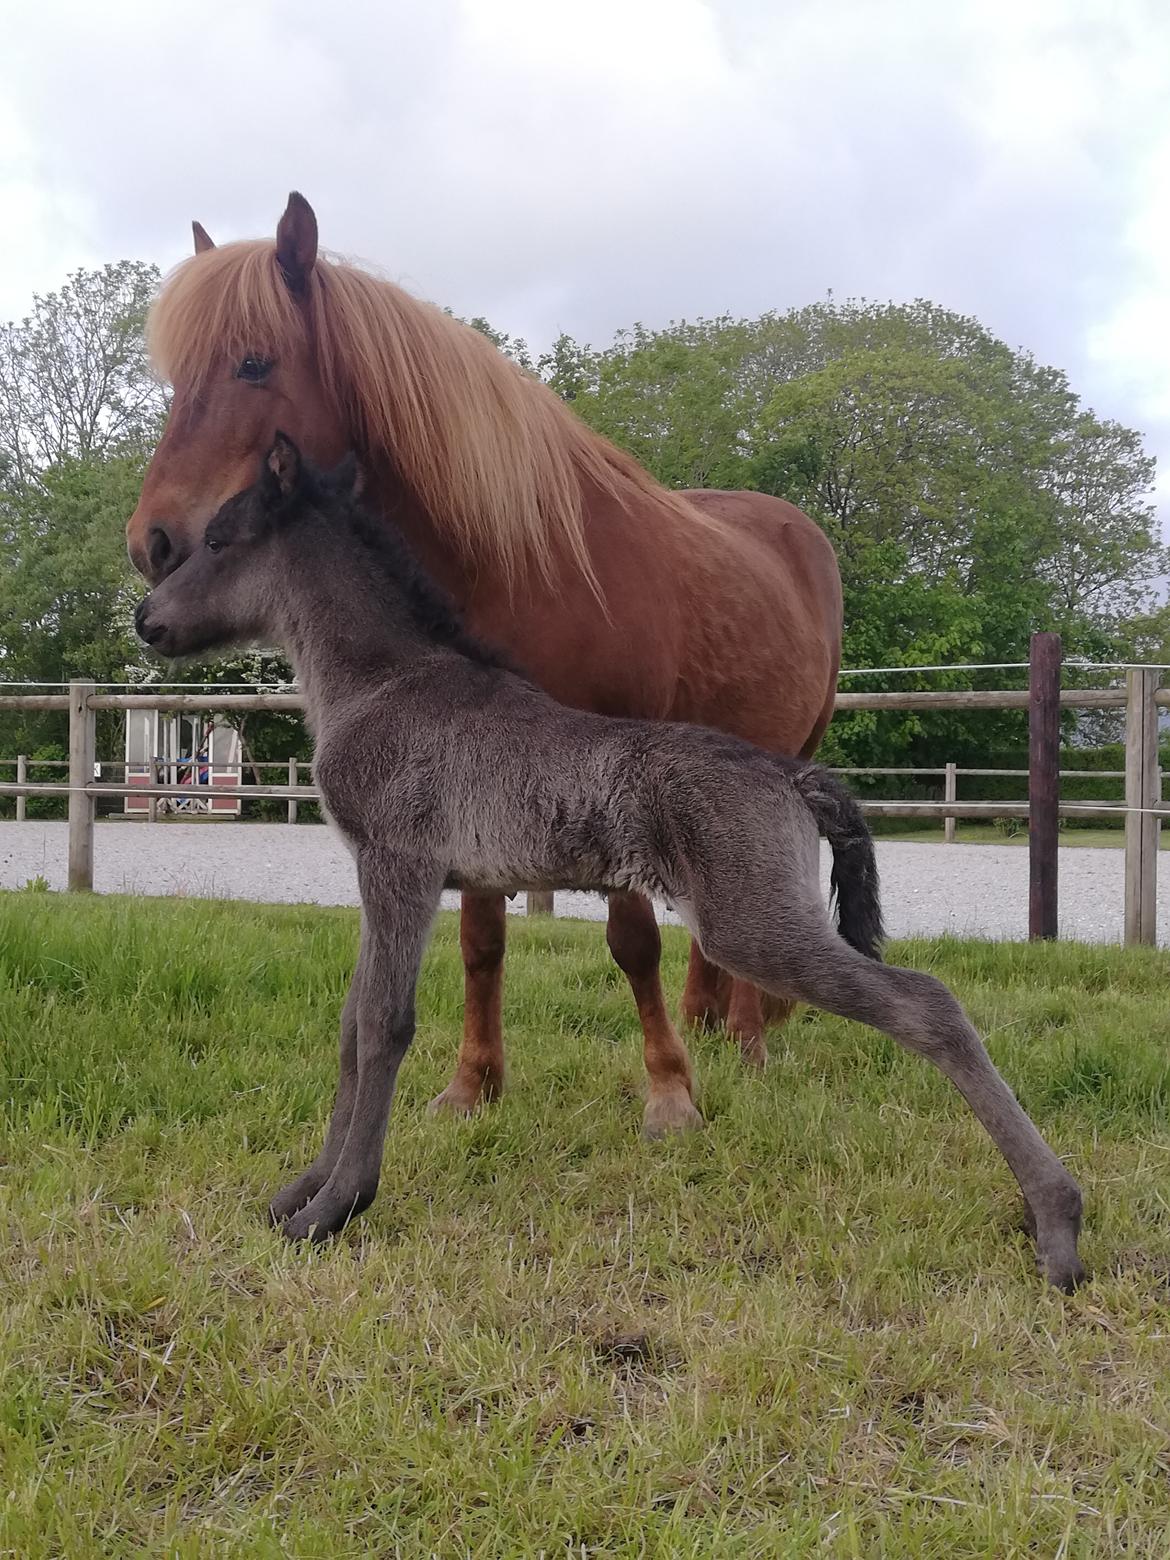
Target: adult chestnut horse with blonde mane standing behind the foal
x=614, y=594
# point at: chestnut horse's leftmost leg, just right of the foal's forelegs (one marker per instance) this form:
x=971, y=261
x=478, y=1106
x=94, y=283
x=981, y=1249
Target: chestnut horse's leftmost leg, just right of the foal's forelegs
x=480, y=1071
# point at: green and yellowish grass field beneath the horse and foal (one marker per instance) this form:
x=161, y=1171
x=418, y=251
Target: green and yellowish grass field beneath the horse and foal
x=814, y=1328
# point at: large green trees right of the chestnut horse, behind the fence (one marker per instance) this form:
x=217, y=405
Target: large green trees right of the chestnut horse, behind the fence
x=970, y=495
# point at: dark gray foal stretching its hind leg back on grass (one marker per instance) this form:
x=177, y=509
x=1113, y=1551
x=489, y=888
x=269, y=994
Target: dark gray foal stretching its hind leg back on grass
x=445, y=768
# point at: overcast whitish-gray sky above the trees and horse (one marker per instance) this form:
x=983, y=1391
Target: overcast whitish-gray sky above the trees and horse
x=583, y=166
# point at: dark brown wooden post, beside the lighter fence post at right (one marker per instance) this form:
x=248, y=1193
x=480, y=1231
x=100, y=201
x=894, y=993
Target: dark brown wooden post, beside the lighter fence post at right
x=1044, y=781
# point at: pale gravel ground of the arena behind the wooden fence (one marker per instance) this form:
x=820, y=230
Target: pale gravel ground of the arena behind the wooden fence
x=927, y=888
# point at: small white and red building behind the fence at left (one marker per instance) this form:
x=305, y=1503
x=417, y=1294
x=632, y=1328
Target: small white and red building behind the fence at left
x=194, y=751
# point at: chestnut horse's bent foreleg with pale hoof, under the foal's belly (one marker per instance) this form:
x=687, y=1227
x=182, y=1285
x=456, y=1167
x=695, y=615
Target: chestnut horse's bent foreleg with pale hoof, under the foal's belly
x=636, y=945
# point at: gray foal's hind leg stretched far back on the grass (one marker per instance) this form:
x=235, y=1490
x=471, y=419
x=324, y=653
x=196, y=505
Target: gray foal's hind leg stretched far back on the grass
x=918, y=1012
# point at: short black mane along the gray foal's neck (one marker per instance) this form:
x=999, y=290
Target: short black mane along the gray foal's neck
x=428, y=603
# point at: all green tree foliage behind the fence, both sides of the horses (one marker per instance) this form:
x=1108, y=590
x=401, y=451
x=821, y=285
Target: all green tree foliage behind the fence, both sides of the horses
x=968, y=492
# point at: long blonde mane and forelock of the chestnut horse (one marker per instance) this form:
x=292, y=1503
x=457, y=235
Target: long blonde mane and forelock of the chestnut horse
x=495, y=456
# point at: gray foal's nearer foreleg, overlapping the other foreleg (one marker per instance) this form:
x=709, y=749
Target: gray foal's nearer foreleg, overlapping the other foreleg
x=399, y=907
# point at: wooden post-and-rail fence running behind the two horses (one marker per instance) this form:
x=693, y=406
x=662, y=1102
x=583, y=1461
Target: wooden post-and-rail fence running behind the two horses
x=1044, y=700
